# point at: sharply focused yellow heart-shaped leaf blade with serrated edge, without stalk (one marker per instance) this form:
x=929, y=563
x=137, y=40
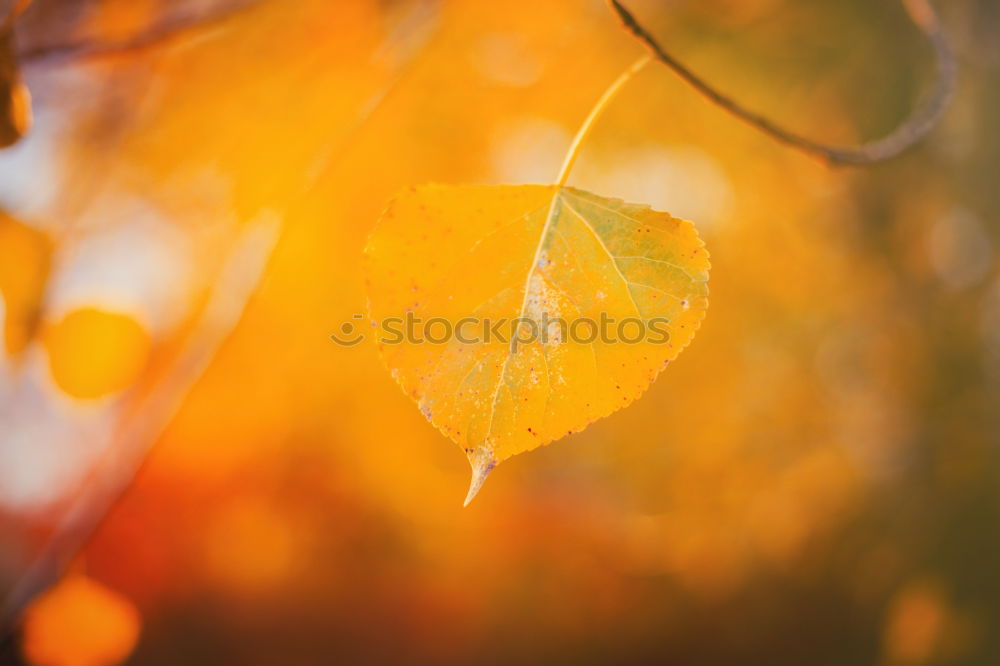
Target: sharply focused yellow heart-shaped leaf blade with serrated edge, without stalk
x=541, y=256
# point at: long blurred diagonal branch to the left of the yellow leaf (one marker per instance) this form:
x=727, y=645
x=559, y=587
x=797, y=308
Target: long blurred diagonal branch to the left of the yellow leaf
x=233, y=286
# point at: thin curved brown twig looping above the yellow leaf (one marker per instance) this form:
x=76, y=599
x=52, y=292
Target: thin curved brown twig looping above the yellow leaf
x=907, y=134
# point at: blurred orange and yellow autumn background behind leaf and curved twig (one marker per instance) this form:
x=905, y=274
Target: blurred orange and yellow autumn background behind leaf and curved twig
x=813, y=481
